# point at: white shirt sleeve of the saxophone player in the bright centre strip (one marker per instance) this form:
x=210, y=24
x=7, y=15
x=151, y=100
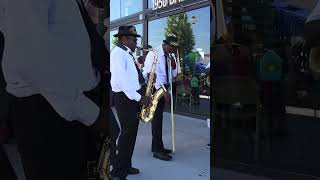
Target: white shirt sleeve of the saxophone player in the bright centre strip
x=121, y=73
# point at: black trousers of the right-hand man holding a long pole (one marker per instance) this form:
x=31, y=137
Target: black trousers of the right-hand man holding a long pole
x=156, y=125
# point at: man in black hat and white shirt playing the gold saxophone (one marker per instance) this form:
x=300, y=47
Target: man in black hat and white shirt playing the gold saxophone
x=126, y=83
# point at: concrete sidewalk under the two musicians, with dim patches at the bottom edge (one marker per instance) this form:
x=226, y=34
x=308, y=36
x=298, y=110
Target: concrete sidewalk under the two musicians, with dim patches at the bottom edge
x=190, y=162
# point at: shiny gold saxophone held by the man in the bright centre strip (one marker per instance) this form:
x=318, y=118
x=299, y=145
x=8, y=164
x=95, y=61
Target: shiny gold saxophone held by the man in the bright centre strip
x=147, y=113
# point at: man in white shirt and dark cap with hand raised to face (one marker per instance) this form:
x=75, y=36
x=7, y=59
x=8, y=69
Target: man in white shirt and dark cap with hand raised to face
x=166, y=63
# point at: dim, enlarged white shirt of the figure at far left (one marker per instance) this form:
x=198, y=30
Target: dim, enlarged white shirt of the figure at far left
x=49, y=54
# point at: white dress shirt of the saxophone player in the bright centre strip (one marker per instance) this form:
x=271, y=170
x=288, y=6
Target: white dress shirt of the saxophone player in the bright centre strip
x=124, y=75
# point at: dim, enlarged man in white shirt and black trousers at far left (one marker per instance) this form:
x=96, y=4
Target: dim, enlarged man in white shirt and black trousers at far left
x=47, y=66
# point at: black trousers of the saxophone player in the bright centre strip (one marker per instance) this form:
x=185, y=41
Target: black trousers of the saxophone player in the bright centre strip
x=127, y=112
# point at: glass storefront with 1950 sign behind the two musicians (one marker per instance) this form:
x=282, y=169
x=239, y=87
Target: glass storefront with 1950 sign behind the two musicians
x=190, y=21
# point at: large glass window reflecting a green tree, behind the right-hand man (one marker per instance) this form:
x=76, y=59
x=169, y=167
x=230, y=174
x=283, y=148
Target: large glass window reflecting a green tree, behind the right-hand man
x=193, y=31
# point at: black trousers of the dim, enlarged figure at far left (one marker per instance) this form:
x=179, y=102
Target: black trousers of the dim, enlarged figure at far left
x=51, y=148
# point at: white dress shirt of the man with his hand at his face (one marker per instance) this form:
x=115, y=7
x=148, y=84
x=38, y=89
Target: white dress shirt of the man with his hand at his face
x=161, y=78
